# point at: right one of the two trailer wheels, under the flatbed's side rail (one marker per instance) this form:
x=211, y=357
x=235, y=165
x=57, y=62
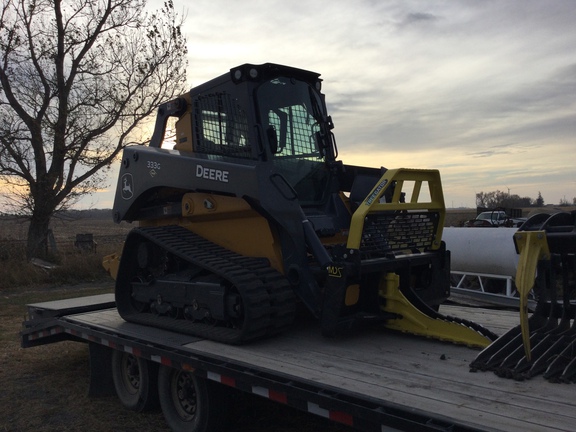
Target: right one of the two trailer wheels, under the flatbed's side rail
x=190, y=403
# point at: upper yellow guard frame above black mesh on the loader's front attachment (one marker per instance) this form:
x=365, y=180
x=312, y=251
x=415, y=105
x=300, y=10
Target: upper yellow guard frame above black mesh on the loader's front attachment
x=405, y=182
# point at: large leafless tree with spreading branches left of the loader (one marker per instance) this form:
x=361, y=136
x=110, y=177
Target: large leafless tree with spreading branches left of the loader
x=78, y=79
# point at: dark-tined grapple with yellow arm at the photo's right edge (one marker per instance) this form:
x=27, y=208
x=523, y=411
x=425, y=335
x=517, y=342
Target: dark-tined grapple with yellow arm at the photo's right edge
x=545, y=343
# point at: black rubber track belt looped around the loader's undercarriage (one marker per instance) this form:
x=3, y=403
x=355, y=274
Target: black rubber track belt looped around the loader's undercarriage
x=267, y=298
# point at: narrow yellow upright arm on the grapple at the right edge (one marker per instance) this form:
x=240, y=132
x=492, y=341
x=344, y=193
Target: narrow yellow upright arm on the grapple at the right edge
x=533, y=247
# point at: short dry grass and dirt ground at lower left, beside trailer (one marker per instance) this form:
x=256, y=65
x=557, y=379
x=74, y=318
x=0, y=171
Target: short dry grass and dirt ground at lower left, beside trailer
x=45, y=388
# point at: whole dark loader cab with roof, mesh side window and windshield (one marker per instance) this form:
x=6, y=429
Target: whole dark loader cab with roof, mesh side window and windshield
x=269, y=114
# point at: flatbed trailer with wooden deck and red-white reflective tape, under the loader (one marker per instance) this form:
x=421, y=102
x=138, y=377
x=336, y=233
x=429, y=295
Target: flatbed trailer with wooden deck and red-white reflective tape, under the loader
x=372, y=380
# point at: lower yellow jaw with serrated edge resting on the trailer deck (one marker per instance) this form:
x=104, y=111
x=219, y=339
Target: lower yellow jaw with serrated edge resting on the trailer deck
x=412, y=320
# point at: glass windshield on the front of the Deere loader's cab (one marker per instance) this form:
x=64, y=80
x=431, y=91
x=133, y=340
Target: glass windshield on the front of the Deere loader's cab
x=291, y=113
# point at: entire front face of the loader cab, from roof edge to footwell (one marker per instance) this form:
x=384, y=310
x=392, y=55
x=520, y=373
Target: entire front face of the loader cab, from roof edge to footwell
x=296, y=133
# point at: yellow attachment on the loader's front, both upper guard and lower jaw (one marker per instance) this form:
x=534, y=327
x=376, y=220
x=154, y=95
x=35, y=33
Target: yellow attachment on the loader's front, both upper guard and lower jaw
x=407, y=191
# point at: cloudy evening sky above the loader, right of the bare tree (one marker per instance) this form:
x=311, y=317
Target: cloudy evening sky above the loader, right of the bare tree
x=482, y=90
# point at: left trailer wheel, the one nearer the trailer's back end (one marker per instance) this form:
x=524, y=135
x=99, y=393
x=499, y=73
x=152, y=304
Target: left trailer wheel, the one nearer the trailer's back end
x=136, y=381
